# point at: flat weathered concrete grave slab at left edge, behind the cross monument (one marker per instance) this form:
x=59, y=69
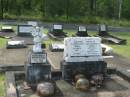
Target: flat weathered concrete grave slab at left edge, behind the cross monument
x=10, y=57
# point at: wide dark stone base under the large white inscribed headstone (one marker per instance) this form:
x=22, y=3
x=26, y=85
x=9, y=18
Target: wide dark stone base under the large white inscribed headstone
x=70, y=69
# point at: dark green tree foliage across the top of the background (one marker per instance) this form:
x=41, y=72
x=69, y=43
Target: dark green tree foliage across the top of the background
x=68, y=8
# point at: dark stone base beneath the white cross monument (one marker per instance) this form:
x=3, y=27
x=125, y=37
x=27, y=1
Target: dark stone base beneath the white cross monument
x=36, y=73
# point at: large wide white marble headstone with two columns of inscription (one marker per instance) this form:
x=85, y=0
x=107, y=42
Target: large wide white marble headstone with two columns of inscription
x=80, y=49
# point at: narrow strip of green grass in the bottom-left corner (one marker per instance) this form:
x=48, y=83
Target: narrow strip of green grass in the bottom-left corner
x=2, y=85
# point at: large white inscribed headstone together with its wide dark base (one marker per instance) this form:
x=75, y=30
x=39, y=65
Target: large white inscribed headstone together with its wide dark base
x=83, y=56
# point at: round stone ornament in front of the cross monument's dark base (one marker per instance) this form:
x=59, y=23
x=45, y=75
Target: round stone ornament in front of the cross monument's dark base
x=45, y=89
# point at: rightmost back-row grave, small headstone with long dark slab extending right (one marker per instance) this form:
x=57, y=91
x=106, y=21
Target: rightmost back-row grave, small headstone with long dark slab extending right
x=107, y=38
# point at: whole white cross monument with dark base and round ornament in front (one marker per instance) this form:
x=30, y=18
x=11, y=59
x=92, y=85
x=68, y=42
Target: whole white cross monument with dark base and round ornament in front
x=38, y=71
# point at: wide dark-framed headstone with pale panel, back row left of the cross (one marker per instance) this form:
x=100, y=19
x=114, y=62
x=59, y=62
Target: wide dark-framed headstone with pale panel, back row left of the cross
x=25, y=30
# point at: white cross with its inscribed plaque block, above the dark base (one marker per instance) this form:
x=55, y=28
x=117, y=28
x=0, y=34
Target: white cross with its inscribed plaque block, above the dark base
x=37, y=54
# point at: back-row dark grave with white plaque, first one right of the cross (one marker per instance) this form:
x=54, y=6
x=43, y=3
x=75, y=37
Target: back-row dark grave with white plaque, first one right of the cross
x=57, y=33
